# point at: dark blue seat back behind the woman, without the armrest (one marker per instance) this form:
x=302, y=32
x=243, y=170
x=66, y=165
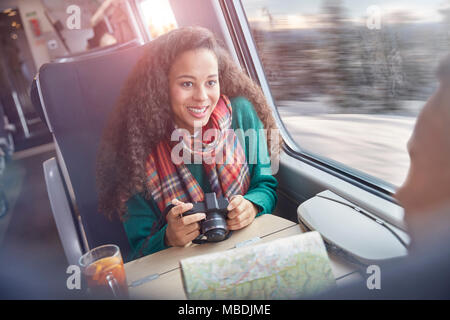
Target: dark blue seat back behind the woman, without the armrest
x=77, y=98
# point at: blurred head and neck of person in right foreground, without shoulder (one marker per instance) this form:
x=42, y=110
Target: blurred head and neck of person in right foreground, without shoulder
x=425, y=194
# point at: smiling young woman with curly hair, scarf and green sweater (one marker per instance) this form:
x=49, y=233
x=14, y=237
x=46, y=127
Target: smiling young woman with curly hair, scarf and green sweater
x=186, y=82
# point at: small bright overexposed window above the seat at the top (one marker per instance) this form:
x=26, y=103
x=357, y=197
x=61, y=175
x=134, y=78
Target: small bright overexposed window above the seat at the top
x=157, y=17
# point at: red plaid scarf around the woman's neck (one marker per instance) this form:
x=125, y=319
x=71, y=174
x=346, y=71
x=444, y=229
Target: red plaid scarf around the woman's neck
x=167, y=180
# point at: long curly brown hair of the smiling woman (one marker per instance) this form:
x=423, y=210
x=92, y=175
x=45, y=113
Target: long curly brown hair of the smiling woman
x=143, y=117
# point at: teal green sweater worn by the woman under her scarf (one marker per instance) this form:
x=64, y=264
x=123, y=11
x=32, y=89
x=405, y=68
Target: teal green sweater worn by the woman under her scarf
x=141, y=214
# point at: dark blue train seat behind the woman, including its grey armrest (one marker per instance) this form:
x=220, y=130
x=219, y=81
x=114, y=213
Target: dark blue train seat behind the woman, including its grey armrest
x=76, y=97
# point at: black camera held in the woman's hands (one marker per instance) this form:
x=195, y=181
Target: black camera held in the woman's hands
x=214, y=226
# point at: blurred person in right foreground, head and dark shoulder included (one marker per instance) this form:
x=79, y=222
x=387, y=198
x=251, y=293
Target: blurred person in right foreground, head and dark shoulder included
x=425, y=196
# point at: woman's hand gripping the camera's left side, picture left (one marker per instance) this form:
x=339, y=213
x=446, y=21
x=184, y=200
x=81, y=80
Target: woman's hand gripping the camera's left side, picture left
x=182, y=230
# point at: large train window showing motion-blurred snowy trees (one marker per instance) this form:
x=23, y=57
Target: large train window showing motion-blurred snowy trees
x=348, y=78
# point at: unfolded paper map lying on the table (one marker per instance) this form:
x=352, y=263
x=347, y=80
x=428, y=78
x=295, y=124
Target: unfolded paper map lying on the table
x=286, y=268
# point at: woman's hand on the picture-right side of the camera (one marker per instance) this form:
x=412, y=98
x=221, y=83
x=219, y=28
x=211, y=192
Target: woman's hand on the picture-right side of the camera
x=241, y=213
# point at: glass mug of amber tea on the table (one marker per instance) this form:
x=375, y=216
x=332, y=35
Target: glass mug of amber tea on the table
x=105, y=273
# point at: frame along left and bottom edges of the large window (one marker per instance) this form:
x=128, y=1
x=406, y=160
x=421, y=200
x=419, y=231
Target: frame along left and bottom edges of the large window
x=243, y=41
